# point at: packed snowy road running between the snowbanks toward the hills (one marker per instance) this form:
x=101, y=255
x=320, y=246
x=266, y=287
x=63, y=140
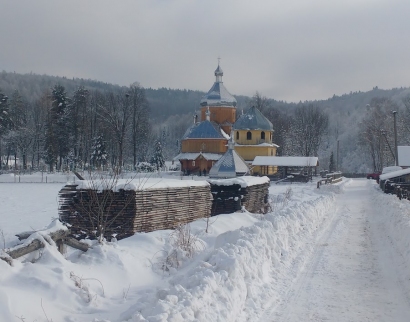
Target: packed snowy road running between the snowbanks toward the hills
x=356, y=271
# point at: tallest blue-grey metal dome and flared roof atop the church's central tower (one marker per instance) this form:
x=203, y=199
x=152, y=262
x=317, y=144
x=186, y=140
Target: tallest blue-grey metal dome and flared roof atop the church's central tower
x=218, y=95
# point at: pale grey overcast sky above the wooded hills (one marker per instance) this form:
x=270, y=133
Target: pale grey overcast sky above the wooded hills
x=285, y=49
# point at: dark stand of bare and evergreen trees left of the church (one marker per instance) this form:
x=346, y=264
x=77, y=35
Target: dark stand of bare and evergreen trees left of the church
x=86, y=128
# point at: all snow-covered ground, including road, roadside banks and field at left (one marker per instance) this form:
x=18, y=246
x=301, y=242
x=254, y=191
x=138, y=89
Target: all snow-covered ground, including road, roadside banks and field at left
x=336, y=253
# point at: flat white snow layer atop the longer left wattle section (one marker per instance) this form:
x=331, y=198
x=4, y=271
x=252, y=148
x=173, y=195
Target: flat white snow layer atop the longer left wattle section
x=137, y=184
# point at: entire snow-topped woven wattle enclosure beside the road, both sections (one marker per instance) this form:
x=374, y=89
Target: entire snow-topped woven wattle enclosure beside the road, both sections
x=91, y=209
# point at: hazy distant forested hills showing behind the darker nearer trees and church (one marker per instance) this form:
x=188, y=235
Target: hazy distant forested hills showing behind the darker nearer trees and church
x=171, y=111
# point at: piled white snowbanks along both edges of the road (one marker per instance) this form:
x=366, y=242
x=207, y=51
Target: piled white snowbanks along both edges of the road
x=243, y=265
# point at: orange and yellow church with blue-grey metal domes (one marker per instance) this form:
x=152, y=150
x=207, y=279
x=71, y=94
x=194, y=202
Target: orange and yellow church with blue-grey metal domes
x=206, y=140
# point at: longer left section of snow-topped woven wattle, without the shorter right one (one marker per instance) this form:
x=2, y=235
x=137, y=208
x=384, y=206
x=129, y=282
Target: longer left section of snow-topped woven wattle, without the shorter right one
x=127, y=207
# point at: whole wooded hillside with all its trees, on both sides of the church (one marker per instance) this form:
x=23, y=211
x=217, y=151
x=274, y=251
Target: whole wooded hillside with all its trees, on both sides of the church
x=55, y=123
